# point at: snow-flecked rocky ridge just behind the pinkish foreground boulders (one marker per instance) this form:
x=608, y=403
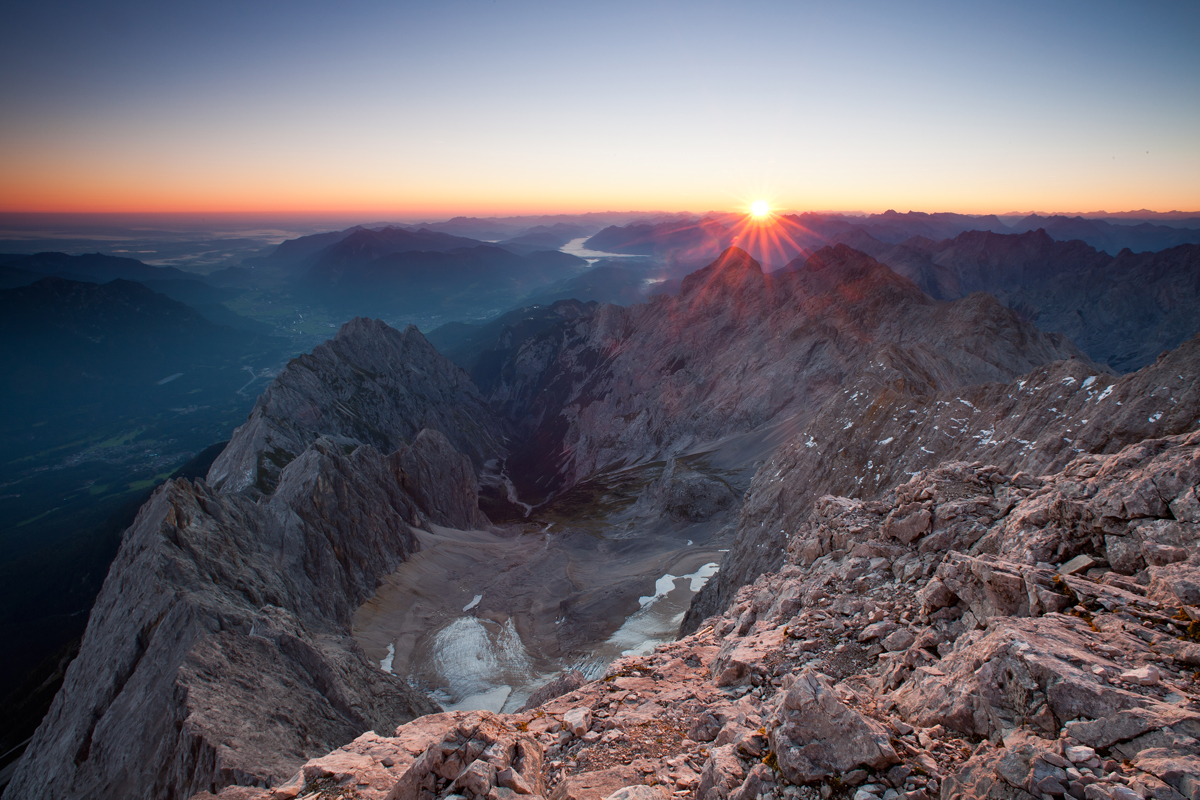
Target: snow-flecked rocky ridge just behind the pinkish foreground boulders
x=880, y=430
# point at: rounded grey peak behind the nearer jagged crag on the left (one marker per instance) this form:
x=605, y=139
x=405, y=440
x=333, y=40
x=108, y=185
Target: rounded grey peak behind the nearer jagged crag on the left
x=370, y=384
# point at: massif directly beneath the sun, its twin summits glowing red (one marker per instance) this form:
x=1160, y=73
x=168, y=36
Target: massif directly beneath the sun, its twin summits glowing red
x=737, y=351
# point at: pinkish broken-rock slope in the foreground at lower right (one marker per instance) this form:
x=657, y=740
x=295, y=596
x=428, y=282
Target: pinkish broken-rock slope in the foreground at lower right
x=973, y=634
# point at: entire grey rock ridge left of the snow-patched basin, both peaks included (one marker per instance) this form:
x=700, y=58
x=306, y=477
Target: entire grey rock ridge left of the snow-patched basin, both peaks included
x=219, y=649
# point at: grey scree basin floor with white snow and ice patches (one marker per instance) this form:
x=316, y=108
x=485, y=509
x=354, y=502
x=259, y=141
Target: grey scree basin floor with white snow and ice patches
x=482, y=619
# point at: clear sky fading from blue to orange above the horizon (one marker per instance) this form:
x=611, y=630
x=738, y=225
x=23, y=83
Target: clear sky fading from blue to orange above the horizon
x=507, y=107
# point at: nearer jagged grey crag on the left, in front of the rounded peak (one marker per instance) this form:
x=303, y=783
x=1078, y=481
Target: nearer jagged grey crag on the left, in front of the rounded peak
x=220, y=647
